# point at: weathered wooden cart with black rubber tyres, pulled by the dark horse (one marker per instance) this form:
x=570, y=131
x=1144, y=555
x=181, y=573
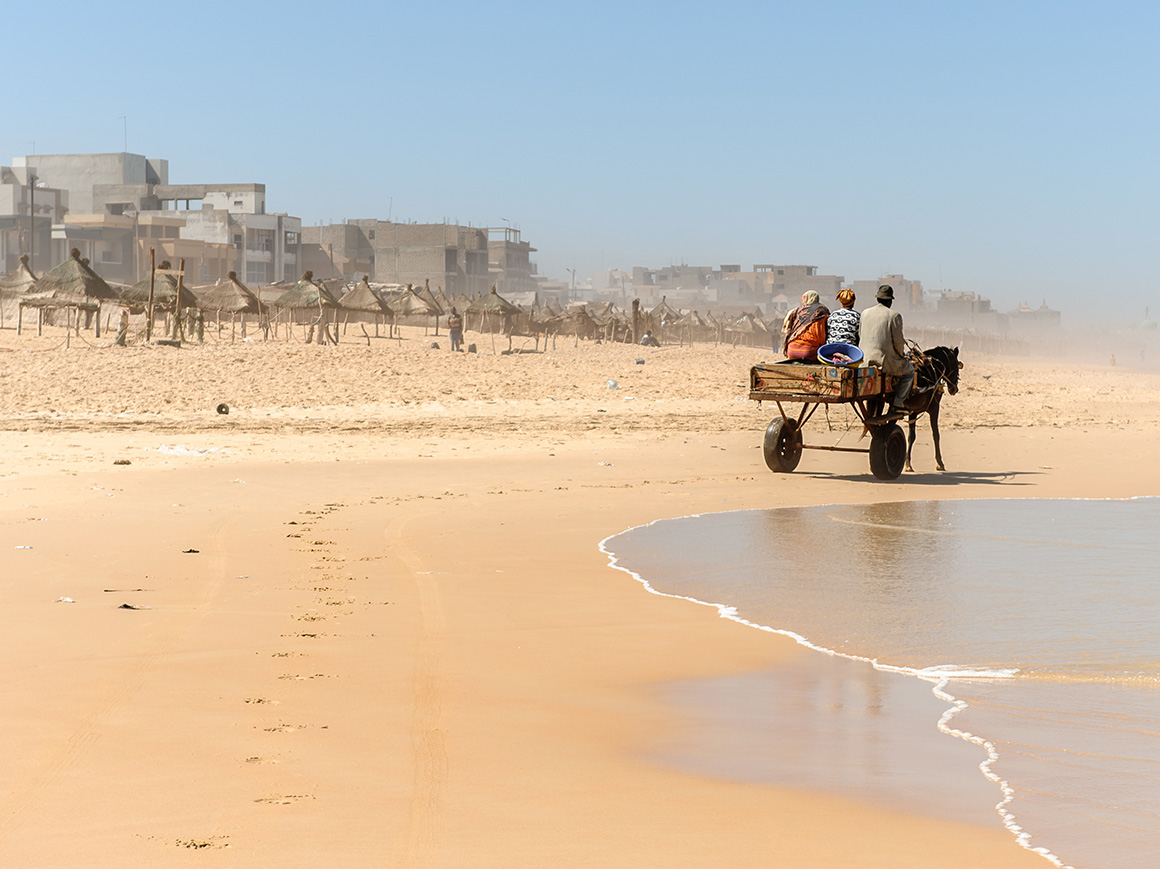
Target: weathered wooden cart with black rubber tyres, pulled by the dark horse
x=865, y=389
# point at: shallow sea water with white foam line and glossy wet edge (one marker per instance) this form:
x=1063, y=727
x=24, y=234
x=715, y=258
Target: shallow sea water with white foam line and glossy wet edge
x=1024, y=636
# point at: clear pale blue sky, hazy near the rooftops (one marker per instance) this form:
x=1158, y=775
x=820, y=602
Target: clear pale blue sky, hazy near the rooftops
x=1004, y=148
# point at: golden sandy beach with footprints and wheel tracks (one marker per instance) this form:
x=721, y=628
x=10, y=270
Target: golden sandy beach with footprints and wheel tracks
x=362, y=620
